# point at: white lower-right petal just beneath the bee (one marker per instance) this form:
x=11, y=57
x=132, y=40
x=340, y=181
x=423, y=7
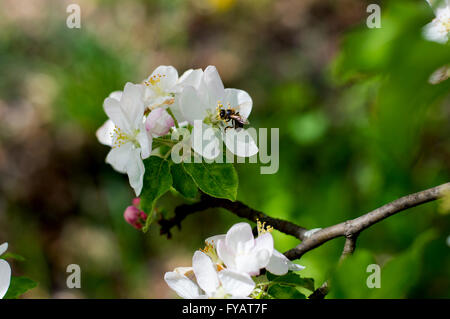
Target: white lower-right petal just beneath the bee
x=240, y=142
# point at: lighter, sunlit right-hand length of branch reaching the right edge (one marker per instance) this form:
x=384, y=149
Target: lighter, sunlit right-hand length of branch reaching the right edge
x=355, y=226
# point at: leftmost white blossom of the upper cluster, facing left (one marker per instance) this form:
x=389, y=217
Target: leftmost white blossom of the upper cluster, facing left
x=126, y=134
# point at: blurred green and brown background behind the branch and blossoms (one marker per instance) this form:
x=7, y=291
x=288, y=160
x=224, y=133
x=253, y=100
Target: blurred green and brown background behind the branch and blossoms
x=359, y=127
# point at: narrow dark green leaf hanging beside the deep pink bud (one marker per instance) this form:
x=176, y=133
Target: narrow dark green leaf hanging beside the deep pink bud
x=157, y=181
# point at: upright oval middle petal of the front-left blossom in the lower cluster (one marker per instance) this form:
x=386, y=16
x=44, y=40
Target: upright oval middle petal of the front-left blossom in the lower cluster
x=205, y=272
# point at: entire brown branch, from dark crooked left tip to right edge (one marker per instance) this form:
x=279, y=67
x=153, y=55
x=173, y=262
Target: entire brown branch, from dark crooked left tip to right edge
x=349, y=229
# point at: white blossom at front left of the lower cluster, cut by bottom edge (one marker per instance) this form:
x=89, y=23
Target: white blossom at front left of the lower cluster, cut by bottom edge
x=205, y=279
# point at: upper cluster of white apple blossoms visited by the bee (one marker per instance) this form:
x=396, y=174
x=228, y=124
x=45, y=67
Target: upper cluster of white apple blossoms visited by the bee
x=163, y=103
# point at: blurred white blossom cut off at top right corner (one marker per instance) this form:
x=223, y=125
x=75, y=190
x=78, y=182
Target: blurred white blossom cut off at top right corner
x=438, y=29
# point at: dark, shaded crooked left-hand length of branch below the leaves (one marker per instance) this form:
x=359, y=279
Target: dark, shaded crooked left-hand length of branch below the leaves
x=238, y=208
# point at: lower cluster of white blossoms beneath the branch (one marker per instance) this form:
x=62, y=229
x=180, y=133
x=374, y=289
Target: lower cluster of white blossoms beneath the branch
x=227, y=266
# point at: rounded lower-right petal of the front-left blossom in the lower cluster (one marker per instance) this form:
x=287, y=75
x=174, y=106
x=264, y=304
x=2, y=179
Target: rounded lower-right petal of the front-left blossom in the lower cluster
x=235, y=283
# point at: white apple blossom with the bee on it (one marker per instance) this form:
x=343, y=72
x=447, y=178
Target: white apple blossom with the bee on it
x=199, y=106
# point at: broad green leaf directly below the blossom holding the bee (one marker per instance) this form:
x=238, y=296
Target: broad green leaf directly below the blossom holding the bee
x=215, y=179
